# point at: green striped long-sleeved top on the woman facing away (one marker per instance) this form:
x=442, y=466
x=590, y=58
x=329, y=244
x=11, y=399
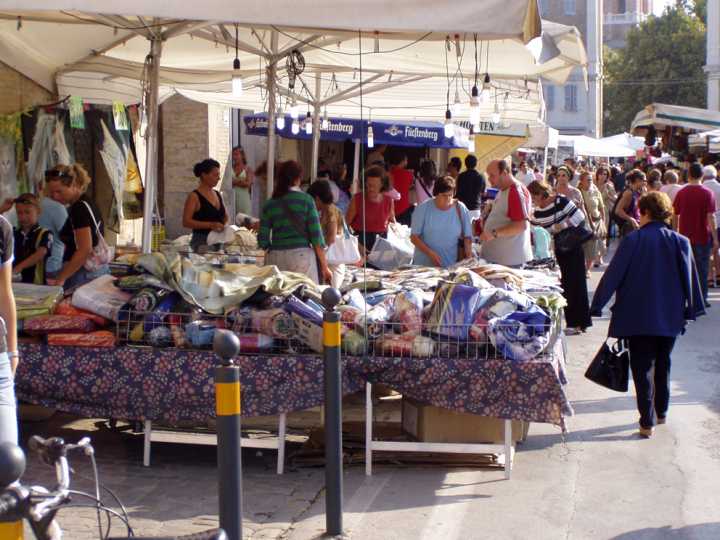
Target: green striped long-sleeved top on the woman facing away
x=279, y=232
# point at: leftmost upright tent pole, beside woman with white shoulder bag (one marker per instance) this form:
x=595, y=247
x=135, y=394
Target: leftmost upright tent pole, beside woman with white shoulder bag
x=151, y=162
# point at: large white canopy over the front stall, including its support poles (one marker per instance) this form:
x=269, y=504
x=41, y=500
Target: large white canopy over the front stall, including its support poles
x=394, y=71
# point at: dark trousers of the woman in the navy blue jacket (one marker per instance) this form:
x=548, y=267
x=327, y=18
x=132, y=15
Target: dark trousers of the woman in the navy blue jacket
x=650, y=365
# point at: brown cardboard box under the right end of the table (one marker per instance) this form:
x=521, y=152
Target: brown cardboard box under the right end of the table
x=427, y=423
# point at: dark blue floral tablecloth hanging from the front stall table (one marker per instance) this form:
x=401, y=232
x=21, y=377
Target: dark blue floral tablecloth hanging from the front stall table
x=170, y=386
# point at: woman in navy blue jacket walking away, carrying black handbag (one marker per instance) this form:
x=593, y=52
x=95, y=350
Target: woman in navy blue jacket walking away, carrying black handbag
x=657, y=290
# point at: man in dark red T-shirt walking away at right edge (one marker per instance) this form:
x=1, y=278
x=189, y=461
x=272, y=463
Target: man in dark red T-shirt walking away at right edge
x=695, y=218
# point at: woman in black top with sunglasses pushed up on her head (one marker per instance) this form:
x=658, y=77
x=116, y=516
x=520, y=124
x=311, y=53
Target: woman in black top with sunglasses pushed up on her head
x=83, y=229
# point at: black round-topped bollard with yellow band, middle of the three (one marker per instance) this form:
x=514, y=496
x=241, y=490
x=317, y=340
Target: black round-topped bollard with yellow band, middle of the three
x=227, y=405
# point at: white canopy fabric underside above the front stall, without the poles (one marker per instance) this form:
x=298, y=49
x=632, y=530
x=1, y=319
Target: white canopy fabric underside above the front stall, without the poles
x=101, y=58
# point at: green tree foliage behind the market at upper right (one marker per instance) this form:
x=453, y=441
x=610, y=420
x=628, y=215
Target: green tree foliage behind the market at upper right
x=661, y=63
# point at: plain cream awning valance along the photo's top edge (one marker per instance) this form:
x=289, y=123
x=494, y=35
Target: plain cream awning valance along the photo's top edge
x=517, y=19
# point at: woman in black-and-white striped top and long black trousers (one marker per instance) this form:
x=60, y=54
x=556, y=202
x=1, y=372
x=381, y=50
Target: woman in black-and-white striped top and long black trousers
x=555, y=212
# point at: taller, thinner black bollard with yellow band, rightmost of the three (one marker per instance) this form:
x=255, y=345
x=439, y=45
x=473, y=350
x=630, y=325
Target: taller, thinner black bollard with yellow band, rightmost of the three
x=333, y=414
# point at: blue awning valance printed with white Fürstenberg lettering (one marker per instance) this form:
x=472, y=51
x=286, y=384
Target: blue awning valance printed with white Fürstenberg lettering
x=397, y=133
